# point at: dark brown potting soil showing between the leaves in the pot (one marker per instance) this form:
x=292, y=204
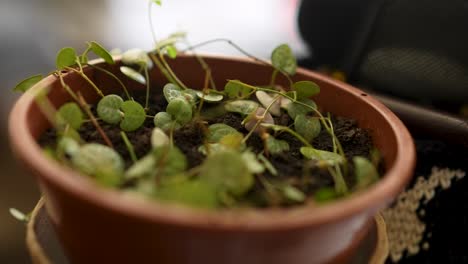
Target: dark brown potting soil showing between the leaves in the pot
x=291, y=166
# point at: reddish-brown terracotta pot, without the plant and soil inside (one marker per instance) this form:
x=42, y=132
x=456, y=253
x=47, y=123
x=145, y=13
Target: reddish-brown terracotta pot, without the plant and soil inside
x=99, y=225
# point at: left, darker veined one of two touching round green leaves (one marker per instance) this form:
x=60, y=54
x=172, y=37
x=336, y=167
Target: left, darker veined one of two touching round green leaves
x=108, y=109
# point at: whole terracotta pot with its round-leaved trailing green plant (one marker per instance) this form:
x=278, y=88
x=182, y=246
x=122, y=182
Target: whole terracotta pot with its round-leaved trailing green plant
x=174, y=105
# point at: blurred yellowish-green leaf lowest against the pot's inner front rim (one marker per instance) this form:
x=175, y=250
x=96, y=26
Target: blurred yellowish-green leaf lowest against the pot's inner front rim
x=193, y=193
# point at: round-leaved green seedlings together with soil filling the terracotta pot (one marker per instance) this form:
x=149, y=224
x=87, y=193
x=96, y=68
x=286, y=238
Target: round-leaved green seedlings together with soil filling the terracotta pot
x=249, y=145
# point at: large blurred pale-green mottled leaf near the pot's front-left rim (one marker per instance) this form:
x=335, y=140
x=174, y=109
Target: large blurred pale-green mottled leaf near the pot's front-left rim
x=101, y=162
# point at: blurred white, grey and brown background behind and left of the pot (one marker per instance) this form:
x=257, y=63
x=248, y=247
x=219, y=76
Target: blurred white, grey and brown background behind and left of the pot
x=31, y=32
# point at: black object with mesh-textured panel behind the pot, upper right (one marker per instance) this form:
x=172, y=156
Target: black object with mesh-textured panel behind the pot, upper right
x=413, y=49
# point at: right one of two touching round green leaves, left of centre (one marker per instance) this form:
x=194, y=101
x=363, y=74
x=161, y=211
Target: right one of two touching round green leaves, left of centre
x=134, y=116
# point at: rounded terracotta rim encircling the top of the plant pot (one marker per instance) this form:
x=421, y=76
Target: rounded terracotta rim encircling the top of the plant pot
x=374, y=197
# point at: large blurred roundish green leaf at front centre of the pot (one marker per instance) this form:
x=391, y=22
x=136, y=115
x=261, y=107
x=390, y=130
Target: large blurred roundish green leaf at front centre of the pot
x=237, y=180
